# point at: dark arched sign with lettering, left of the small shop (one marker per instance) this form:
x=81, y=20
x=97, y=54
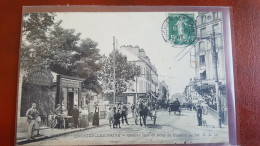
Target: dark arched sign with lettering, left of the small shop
x=40, y=76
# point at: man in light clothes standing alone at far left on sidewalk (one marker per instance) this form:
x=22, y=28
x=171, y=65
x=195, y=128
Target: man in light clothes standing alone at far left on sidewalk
x=32, y=115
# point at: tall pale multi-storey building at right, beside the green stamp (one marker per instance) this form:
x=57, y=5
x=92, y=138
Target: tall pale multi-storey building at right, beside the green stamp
x=207, y=23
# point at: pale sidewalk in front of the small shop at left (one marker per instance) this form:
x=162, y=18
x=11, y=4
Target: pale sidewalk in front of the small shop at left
x=46, y=132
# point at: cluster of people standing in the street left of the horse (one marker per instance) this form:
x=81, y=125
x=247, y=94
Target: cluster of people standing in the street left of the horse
x=120, y=111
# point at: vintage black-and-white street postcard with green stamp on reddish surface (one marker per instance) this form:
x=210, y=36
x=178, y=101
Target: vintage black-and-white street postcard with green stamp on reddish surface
x=108, y=77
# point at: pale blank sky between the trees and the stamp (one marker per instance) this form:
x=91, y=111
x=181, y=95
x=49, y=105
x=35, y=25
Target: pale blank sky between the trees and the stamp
x=133, y=28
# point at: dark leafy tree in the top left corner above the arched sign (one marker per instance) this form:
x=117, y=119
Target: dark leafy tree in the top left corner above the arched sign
x=35, y=38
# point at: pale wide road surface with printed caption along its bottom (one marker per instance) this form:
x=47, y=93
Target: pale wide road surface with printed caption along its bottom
x=169, y=129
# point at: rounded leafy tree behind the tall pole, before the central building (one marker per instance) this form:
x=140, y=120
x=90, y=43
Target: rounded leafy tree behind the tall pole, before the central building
x=124, y=72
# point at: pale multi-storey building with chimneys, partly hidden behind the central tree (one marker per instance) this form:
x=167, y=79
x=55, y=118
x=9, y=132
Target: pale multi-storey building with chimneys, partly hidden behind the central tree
x=145, y=83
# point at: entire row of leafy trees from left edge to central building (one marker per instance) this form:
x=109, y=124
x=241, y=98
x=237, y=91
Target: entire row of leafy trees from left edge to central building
x=46, y=43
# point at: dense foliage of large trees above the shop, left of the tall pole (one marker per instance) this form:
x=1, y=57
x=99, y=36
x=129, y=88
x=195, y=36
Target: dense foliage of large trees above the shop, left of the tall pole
x=46, y=43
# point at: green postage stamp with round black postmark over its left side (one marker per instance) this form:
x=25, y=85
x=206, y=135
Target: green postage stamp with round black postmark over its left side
x=179, y=29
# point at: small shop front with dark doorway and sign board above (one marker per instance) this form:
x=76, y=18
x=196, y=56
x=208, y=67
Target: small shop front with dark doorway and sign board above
x=68, y=93
